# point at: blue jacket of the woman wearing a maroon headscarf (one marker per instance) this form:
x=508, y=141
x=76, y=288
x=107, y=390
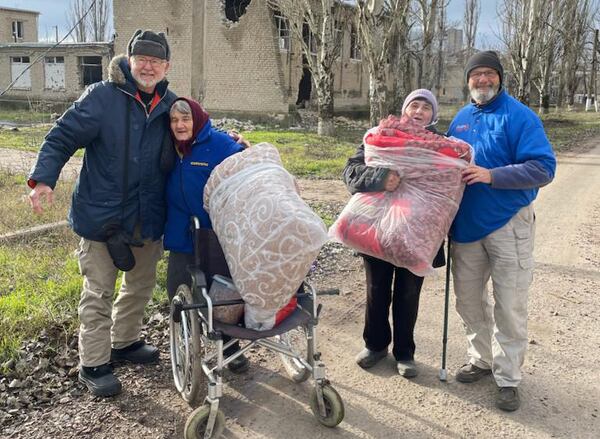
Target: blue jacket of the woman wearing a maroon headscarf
x=185, y=186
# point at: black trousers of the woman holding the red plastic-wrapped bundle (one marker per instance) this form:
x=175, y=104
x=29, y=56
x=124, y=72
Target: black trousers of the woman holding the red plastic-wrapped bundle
x=388, y=284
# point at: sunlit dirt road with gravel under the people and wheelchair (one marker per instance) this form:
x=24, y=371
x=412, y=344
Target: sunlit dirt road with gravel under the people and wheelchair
x=560, y=389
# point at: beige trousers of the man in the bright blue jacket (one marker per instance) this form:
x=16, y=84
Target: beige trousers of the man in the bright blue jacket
x=496, y=331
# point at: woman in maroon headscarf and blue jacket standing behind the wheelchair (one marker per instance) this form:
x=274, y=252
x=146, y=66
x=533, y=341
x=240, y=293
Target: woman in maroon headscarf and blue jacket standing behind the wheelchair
x=200, y=148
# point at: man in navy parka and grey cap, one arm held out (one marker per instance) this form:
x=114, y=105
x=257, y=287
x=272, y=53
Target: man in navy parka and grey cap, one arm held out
x=118, y=205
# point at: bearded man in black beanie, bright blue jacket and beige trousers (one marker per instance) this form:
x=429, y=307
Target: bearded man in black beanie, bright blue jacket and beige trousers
x=493, y=232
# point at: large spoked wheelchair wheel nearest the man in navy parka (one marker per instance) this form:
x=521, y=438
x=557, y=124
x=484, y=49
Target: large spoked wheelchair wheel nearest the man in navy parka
x=186, y=350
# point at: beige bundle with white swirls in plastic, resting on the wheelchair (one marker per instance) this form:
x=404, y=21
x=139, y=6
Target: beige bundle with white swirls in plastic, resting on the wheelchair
x=269, y=235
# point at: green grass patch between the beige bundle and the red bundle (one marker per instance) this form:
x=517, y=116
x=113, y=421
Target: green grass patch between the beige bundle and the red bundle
x=305, y=154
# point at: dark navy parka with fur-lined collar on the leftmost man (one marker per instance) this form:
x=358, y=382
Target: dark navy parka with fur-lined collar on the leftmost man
x=97, y=121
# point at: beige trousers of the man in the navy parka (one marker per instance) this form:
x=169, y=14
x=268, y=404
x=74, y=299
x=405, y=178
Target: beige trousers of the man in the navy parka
x=101, y=321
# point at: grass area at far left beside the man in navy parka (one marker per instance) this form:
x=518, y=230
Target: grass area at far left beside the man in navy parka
x=40, y=282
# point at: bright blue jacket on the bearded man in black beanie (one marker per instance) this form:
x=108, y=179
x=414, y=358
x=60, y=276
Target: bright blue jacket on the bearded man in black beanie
x=509, y=139
